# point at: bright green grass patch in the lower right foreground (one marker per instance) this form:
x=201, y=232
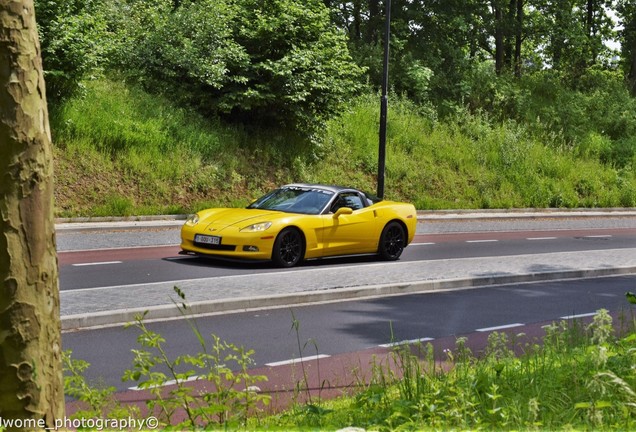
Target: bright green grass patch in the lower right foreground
x=578, y=377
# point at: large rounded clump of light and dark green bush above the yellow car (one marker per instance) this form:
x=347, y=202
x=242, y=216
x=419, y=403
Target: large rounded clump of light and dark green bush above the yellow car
x=274, y=63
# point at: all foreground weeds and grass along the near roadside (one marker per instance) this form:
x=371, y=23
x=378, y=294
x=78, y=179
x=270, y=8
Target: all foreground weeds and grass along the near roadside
x=578, y=377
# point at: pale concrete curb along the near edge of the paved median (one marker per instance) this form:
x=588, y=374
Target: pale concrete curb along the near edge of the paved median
x=164, y=312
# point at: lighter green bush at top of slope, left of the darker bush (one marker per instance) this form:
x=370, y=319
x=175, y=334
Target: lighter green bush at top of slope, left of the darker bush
x=183, y=51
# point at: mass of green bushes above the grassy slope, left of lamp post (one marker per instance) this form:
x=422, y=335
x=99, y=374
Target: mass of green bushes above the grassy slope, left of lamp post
x=267, y=63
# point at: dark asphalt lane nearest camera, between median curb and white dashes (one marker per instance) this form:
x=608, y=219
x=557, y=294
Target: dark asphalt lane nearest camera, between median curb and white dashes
x=348, y=327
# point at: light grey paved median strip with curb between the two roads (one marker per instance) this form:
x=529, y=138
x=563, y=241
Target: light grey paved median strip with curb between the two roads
x=120, y=304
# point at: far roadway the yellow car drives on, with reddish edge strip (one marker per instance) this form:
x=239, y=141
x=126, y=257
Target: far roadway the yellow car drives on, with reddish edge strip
x=114, y=265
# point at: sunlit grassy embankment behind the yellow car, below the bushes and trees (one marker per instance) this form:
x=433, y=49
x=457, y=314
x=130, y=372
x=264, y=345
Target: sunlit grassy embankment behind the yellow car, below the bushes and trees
x=121, y=151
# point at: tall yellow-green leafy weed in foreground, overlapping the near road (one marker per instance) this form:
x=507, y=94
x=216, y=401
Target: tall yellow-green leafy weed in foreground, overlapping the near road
x=233, y=396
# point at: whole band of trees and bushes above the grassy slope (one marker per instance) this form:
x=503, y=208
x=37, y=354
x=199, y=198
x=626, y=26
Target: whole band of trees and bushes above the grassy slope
x=289, y=64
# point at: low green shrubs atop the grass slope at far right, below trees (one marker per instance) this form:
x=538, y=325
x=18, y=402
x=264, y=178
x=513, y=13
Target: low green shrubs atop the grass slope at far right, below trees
x=593, y=114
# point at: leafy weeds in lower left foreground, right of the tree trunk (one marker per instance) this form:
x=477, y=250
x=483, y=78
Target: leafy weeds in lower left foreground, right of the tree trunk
x=229, y=397
